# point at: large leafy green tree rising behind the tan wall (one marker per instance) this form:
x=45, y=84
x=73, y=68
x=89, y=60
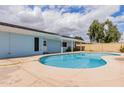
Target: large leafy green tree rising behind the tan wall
x=103, y=32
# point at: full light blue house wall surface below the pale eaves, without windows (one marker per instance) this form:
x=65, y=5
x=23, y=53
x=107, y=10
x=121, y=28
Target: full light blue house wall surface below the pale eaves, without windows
x=13, y=45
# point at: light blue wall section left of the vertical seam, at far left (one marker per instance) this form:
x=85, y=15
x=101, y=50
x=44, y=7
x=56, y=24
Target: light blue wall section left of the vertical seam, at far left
x=4, y=44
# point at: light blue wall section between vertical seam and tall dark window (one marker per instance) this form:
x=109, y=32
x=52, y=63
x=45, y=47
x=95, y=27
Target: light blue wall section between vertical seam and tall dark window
x=23, y=45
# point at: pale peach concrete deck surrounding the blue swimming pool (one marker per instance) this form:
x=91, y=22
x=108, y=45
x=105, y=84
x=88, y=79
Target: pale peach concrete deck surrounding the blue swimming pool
x=27, y=71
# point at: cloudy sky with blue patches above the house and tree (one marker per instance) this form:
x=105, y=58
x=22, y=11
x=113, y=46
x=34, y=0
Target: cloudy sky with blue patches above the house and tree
x=64, y=20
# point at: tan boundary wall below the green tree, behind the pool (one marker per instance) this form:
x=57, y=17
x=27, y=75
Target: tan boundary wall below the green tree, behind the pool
x=103, y=47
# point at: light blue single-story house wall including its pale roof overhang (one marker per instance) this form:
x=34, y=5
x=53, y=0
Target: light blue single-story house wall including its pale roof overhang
x=18, y=41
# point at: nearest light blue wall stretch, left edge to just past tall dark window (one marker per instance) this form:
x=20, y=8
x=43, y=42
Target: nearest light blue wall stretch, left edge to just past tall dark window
x=12, y=45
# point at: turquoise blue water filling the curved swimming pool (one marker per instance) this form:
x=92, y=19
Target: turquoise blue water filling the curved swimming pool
x=79, y=60
